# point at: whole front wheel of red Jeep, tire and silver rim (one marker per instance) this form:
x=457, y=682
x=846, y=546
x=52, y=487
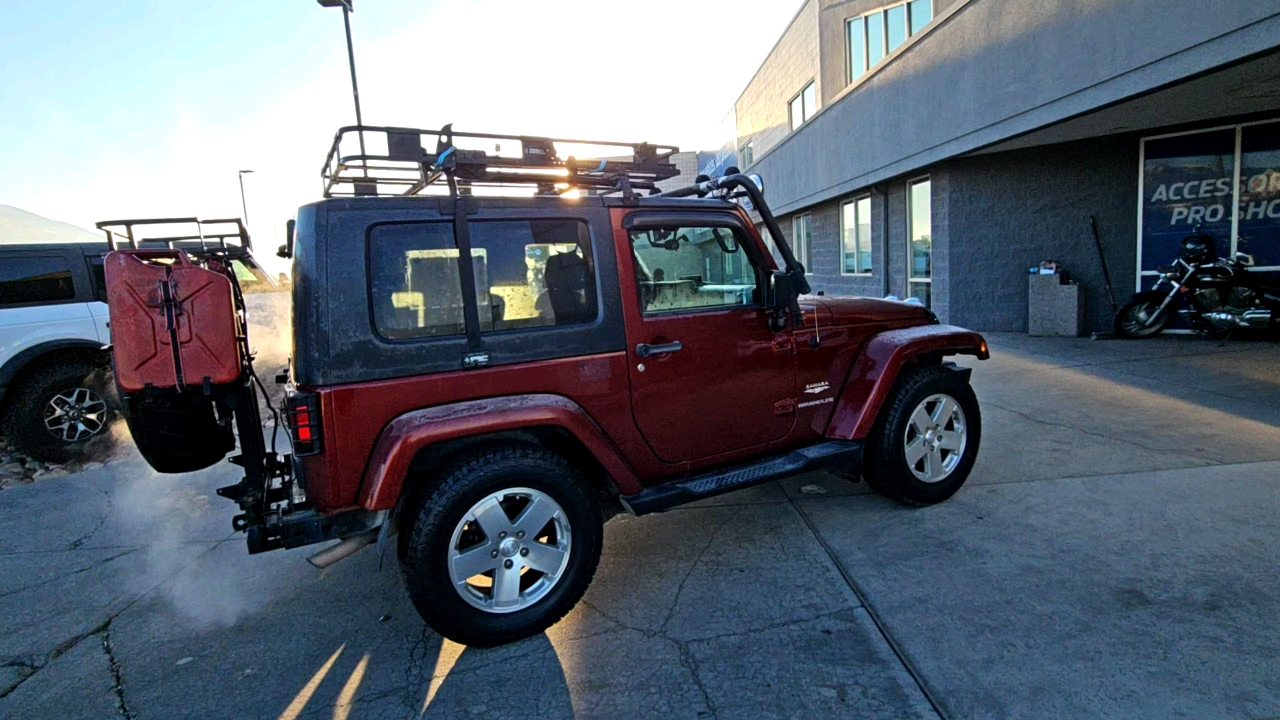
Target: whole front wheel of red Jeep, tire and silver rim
x=926, y=440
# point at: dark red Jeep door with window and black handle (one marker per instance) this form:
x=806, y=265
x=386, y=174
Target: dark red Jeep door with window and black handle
x=708, y=375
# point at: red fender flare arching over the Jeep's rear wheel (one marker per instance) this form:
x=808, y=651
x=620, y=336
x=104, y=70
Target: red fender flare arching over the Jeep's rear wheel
x=409, y=434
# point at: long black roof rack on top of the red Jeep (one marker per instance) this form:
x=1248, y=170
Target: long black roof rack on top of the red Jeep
x=400, y=163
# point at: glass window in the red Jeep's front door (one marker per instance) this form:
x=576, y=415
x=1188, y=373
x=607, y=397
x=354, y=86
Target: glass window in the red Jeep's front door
x=692, y=268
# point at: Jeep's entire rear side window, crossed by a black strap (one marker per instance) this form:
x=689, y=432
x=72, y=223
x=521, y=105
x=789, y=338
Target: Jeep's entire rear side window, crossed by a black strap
x=528, y=275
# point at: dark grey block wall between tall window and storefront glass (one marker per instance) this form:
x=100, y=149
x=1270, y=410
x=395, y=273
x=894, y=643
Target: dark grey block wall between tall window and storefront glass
x=1007, y=212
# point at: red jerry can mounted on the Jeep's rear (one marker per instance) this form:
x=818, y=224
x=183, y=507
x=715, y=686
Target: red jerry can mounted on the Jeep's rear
x=173, y=323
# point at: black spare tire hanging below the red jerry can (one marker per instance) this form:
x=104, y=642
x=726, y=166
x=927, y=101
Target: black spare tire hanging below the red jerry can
x=180, y=432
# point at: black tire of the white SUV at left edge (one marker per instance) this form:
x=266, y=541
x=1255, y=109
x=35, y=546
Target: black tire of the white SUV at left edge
x=33, y=400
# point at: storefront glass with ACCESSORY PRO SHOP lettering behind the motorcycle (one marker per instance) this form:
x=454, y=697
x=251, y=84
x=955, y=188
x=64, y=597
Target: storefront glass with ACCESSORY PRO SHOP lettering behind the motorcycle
x=1227, y=183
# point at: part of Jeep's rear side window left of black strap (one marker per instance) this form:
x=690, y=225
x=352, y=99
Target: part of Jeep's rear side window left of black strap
x=414, y=279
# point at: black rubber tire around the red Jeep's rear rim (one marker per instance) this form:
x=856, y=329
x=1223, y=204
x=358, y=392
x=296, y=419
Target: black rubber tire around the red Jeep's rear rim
x=440, y=509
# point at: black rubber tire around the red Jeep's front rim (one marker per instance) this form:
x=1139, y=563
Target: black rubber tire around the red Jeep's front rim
x=885, y=466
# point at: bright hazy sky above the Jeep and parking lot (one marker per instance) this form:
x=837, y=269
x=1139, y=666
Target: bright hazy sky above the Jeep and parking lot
x=150, y=108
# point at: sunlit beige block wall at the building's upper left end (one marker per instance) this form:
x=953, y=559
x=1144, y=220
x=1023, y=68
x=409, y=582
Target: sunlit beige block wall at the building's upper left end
x=762, y=111
